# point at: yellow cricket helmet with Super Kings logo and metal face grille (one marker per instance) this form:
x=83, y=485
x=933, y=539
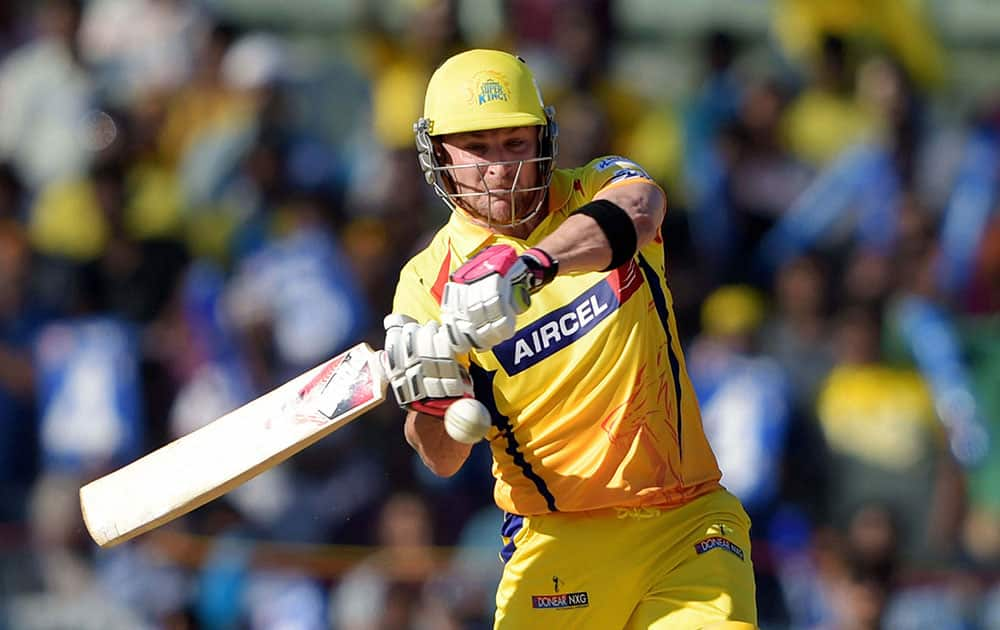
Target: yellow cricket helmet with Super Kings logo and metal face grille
x=478, y=90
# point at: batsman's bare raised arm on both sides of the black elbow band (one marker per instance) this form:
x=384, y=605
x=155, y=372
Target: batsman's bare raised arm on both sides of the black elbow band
x=580, y=244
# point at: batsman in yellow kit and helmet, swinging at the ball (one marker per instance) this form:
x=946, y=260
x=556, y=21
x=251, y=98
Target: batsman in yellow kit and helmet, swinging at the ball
x=544, y=297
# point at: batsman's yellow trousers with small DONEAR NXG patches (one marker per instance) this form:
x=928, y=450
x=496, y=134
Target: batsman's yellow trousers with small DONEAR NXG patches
x=629, y=568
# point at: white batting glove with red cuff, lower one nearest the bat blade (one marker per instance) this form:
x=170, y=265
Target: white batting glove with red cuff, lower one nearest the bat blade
x=421, y=366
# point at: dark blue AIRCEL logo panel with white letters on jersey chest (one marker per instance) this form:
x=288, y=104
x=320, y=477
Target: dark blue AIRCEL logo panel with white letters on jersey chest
x=556, y=330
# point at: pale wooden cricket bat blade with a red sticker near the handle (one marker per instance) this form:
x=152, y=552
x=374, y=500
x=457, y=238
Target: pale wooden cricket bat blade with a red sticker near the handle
x=205, y=464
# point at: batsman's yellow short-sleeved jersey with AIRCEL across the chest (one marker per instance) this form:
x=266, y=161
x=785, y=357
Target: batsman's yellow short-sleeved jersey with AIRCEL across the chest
x=590, y=399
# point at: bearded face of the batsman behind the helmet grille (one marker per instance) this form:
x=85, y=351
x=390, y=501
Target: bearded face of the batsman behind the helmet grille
x=493, y=165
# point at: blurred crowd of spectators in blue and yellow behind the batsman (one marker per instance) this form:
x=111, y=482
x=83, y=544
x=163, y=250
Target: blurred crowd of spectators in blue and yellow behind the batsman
x=196, y=205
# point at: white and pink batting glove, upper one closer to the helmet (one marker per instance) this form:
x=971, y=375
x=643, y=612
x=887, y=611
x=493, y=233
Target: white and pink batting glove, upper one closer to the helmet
x=481, y=303
